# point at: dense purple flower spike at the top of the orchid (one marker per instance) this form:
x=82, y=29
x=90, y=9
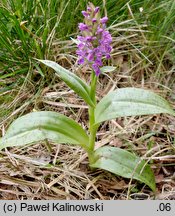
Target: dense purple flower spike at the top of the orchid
x=95, y=40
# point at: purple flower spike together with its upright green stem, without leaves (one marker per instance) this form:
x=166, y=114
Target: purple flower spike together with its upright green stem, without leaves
x=94, y=44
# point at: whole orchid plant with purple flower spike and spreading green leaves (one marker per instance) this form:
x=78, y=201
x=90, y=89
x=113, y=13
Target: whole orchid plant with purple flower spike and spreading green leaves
x=94, y=44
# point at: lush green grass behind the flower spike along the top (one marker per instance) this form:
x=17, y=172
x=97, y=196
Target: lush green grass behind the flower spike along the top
x=29, y=28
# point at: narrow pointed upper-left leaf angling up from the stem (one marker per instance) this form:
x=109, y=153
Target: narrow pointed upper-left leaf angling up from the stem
x=72, y=80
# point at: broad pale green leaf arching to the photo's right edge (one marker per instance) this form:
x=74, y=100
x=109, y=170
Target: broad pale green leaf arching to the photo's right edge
x=130, y=102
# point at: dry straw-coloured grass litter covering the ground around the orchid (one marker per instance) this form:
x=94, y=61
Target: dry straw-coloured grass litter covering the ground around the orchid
x=36, y=173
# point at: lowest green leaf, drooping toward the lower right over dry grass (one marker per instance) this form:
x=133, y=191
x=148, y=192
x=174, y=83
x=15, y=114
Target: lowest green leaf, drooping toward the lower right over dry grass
x=125, y=164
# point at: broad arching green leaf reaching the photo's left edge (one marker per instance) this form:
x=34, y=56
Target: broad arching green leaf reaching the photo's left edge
x=38, y=126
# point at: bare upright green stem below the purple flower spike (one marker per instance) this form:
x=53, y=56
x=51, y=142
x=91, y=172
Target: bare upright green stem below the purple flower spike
x=92, y=128
